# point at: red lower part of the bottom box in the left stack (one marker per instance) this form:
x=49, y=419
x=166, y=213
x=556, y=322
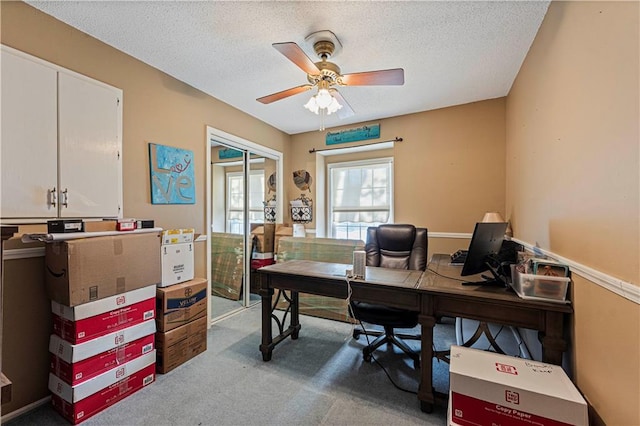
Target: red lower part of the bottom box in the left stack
x=77, y=412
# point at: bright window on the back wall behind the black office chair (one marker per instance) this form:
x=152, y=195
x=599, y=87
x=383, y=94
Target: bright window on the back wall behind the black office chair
x=360, y=195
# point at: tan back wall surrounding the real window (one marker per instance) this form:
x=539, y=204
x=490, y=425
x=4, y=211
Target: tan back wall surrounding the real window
x=449, y=169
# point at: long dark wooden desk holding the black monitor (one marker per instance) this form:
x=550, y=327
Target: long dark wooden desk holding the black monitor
x=431, y=294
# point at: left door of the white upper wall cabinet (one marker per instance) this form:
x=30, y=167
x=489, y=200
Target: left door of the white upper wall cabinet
x=29, y=137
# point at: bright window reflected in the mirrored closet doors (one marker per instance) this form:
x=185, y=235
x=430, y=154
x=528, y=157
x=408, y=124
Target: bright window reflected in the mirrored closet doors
x=235, y=200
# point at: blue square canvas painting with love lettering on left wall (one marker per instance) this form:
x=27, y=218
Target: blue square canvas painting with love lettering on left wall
x=172, y=175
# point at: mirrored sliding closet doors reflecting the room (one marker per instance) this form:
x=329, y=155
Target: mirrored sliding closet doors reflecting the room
x=233, y=215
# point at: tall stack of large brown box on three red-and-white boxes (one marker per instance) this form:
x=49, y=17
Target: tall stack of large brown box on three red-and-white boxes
x=103, y=305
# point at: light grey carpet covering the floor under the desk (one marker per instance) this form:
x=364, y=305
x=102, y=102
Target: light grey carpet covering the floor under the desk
x=319, y=379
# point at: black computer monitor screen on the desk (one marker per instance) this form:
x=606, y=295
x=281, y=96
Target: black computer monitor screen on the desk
x=486, y=241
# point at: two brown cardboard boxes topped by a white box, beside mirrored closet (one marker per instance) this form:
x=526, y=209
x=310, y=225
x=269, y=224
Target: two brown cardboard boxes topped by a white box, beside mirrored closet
x=181, y=303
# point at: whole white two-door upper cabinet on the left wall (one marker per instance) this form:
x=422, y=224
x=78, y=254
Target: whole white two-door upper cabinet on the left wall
x=61, y=147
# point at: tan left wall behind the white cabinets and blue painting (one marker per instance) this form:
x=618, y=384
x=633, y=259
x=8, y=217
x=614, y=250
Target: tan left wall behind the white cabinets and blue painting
x=157, y=108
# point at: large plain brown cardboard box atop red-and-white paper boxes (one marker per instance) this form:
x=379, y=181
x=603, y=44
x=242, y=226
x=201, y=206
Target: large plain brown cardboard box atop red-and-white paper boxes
x=87, y=269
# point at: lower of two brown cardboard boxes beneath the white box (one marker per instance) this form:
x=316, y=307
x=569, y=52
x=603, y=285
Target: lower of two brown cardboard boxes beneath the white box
x=179, y=345
